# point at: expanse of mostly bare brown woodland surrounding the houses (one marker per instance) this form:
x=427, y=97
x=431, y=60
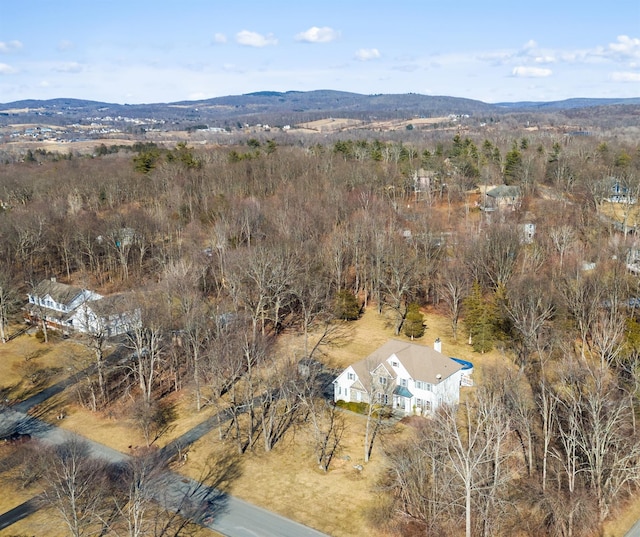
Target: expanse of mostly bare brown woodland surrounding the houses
x=225, y=248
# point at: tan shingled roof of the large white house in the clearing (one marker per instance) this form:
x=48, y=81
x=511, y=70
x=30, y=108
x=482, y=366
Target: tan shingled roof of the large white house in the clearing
x=421, y=362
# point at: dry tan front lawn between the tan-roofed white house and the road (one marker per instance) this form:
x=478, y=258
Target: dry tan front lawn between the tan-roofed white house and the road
x=287, y=480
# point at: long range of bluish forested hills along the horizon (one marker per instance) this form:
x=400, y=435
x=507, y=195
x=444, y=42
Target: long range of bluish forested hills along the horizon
x=283, y=107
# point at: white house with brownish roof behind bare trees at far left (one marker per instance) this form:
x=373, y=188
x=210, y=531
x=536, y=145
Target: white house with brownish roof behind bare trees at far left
x=72, y=309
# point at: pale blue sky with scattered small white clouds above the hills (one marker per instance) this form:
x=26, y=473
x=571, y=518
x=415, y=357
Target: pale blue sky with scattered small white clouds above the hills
x=151, y=51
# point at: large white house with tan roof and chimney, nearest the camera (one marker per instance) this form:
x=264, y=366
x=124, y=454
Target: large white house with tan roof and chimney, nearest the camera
x=413, y=378
